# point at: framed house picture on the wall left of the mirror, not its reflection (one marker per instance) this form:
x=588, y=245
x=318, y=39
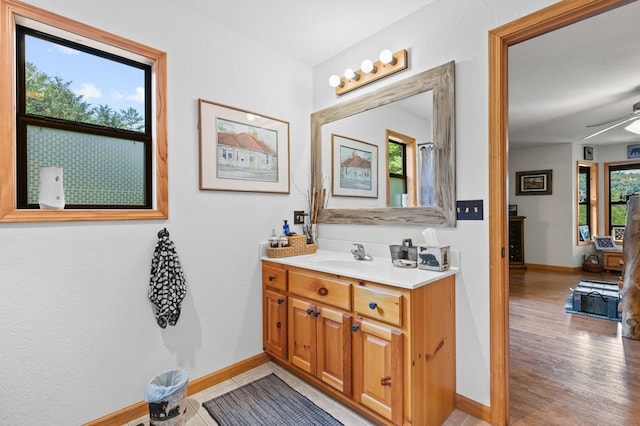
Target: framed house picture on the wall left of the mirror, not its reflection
x=241, y=150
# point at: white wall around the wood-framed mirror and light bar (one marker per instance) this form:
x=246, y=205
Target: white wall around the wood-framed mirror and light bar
x=441, y=32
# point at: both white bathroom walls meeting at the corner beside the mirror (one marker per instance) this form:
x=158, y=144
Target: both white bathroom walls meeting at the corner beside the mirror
x=78, y=330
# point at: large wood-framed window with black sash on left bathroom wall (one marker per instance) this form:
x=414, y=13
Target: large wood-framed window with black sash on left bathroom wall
x=89, y=108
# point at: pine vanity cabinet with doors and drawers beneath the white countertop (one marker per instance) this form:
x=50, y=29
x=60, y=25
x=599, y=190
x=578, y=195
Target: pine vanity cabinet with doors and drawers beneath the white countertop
x=384, y=351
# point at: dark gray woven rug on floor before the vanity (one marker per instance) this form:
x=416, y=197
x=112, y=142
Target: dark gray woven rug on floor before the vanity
x=267, y=401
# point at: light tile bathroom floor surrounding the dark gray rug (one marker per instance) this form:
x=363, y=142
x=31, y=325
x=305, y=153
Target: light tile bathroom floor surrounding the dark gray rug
x=198, y=416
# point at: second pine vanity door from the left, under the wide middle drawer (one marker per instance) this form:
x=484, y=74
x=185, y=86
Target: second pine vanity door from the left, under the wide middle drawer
x=302, y=334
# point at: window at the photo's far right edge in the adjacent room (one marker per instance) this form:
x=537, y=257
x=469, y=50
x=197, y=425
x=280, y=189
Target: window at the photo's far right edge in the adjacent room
x=622, y=181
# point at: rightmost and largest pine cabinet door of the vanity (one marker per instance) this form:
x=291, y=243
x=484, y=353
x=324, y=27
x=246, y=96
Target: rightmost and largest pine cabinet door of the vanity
x=377, y=379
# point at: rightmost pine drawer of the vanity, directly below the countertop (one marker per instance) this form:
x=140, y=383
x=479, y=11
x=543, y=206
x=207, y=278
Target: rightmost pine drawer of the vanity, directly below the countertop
x=379, y=305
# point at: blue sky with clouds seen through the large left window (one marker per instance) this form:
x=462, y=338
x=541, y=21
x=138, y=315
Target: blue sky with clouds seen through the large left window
x=98, y=80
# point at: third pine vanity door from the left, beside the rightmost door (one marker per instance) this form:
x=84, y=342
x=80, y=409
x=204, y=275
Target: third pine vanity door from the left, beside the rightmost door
x=334, y=348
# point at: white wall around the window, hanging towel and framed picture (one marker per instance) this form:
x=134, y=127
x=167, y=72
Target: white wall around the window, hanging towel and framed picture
x=78, y=337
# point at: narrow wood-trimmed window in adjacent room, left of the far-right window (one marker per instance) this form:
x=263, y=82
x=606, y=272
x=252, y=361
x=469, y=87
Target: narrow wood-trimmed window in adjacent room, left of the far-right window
x=587, y=194
